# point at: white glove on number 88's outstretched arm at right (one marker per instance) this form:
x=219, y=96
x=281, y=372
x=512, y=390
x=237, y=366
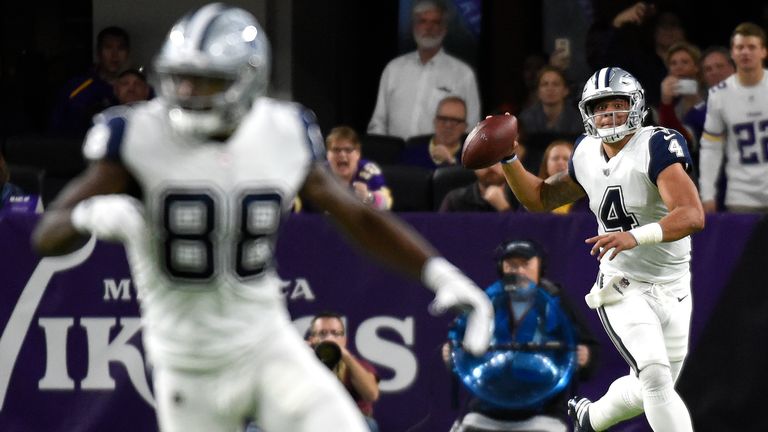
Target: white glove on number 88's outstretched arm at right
x=453, y=289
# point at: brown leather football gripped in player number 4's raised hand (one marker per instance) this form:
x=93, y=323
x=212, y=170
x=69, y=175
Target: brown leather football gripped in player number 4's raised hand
x=489, y=142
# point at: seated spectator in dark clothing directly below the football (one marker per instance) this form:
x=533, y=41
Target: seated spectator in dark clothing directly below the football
x=489, y=193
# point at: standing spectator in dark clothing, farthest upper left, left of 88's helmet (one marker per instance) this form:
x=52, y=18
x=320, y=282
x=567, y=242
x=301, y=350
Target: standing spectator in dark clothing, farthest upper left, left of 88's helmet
x=86, y=95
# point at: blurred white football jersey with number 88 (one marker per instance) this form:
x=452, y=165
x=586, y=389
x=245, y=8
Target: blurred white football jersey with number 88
x=213, y=209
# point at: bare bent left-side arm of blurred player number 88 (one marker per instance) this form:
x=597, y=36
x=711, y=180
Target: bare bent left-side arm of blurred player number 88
x=54, y=233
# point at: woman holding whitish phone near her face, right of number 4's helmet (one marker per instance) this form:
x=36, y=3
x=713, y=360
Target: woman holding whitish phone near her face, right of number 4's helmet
x=681, y=90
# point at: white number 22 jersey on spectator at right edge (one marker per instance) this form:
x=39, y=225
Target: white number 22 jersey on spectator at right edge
x=740, y=115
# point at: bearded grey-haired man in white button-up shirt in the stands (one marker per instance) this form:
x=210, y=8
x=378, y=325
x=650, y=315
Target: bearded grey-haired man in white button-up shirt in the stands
x=412, y=84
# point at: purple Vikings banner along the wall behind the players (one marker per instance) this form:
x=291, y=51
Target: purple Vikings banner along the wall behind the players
x=71, y=356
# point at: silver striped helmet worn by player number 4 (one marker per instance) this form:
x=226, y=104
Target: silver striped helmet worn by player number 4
x=612, y=82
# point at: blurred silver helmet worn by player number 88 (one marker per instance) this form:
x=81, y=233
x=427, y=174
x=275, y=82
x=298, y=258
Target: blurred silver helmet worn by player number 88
x=214, y=63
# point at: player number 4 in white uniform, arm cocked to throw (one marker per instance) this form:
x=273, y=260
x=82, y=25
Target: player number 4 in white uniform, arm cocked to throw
x=646, y=207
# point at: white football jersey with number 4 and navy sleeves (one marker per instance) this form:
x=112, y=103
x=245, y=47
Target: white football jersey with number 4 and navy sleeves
x=623, y=195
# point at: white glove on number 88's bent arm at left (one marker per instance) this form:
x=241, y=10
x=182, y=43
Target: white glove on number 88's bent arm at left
x=110, y=217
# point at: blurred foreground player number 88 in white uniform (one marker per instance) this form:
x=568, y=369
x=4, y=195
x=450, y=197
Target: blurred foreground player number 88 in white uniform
x=218, y=165
